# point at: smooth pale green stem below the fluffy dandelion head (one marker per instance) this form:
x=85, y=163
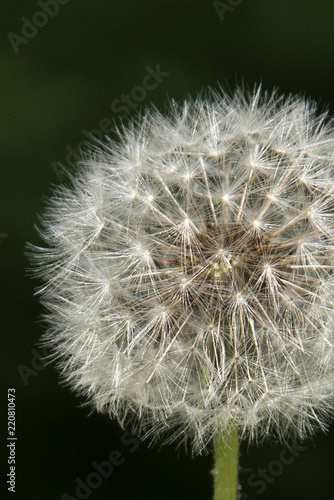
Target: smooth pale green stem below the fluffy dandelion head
x=226, y=466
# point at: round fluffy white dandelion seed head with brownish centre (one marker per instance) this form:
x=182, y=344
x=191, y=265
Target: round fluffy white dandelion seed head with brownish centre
x=188, y=270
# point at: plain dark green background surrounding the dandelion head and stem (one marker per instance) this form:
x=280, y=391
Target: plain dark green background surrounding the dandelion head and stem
x=62, y=82
